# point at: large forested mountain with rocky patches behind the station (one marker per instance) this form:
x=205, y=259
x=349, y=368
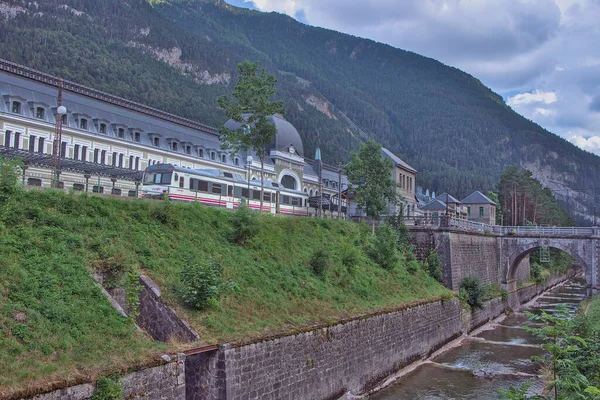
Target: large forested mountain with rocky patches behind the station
x=179, y=55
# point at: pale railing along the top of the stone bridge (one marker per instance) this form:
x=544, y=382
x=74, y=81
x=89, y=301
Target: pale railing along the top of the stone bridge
x=466, y=225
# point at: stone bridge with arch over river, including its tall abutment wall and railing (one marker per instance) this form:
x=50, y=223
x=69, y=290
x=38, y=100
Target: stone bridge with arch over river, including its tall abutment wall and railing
x=500, y=254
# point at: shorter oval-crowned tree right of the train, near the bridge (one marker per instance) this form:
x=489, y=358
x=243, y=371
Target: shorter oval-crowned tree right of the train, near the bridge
x=370, y=177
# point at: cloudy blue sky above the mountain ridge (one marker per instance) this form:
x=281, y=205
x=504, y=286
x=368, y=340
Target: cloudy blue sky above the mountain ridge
x=542, y=56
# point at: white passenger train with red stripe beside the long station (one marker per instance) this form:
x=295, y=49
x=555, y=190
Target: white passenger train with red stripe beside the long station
x=220, y=188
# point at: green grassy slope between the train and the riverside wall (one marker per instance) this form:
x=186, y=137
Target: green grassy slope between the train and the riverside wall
x=50, y=242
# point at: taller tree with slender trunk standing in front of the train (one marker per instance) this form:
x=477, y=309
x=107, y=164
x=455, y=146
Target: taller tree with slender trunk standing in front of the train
x=251, y=107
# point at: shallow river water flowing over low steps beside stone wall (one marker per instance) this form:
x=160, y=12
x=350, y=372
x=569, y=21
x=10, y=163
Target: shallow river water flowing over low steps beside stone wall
x=486, y=361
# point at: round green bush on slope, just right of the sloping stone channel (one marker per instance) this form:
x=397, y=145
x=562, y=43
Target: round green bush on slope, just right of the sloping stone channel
x=201, y=284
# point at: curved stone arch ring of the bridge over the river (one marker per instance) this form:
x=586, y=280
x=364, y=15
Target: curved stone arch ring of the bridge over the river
x=524, y=249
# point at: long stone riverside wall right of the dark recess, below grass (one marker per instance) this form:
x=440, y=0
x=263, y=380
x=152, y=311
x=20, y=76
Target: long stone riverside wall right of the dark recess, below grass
x=328, y=362
